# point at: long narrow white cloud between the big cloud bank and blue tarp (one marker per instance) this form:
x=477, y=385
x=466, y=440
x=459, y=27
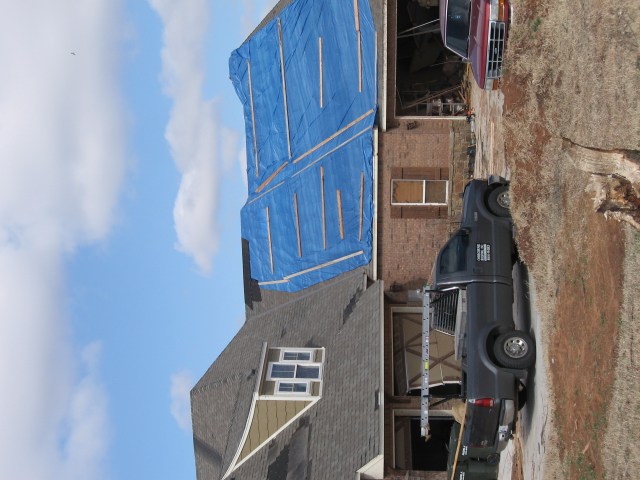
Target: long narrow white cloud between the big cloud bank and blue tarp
x=200, y=144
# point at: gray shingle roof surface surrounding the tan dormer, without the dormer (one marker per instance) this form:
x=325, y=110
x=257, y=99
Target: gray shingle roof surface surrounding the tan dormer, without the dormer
x=341, y=432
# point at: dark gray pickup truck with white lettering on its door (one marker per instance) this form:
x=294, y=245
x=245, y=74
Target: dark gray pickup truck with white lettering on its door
x=472, y=299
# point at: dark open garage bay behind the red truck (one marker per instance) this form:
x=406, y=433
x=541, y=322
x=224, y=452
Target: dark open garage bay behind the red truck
x=428, y=76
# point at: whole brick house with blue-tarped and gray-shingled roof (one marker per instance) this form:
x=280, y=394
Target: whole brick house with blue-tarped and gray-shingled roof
x=357, y=157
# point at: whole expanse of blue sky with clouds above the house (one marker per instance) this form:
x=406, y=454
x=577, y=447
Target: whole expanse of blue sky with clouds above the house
x=122, y=150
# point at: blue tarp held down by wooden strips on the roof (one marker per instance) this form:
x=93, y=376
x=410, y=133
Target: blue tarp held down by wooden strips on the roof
x=301, y=152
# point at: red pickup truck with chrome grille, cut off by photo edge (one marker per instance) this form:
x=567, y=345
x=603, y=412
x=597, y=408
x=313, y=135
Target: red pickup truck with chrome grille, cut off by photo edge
x=477, y=31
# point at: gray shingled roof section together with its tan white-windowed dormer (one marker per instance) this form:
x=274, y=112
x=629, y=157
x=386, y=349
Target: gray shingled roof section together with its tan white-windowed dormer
x=297, y=393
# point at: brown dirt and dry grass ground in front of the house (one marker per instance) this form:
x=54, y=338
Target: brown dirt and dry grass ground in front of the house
x=573, y=78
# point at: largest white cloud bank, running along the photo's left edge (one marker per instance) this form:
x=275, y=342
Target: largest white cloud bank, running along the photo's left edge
x=62, y=158
